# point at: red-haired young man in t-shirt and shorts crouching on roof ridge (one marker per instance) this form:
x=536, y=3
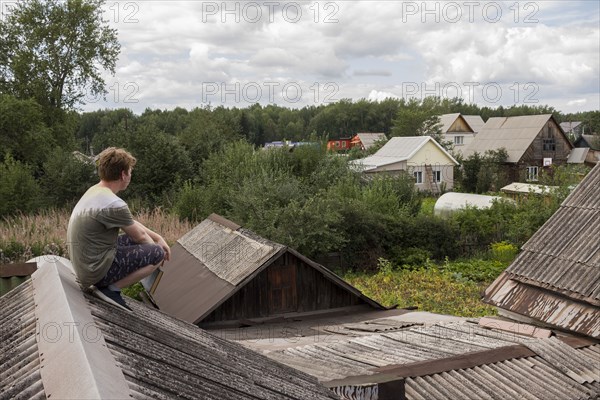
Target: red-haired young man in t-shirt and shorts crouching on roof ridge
x=100, y=256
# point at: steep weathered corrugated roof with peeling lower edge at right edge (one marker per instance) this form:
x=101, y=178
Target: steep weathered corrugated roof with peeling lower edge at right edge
x=556, y=277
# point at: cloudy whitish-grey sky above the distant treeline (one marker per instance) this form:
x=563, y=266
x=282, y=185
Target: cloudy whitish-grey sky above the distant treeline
x=237, y=53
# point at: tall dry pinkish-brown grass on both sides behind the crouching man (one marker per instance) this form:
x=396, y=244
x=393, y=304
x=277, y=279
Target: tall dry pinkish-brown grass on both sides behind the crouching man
x=25, y=236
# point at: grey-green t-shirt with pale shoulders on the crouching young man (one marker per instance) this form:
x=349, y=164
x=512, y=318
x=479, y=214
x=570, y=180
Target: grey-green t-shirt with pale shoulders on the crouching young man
x=93, y=231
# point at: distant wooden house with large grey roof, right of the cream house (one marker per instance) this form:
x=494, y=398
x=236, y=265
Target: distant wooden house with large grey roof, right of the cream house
x=532, y=142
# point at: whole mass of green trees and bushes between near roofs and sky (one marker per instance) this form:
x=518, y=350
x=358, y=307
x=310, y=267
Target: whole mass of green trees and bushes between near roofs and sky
x=197, y=162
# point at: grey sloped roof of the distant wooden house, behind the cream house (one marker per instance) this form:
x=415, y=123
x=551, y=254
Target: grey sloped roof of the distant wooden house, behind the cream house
x=515, y=134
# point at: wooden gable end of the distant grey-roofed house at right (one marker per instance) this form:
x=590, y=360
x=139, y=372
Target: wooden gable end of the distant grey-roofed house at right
x=550, y=143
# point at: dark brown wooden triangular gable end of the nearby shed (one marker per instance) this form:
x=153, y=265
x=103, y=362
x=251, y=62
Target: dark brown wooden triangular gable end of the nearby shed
x=287, y=285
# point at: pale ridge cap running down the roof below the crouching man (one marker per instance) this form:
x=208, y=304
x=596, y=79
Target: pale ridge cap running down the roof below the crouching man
x=60, y=304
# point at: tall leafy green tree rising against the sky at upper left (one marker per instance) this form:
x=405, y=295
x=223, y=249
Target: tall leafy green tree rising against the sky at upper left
x=55, y=51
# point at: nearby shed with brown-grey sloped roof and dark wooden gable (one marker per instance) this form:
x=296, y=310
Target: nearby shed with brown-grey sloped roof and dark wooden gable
x=222, y=273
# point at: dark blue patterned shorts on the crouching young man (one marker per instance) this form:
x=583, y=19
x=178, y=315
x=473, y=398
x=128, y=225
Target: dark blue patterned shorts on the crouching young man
x=130, y=257
